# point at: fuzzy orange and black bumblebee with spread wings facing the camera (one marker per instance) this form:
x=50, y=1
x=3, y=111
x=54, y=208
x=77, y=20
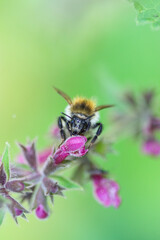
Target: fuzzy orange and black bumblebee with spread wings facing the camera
x=81, y=116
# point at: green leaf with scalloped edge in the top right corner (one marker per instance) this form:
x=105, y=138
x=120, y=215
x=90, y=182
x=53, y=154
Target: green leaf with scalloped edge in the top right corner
x=148, y=11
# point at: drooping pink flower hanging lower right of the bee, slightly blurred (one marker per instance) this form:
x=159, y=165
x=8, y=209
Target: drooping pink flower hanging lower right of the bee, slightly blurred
x=106, y=191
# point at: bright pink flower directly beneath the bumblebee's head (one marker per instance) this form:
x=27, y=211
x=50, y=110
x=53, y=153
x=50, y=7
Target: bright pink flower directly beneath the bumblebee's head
x=73, y=146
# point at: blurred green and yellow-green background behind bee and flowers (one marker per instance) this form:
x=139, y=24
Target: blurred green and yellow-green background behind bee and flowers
x=89, y=48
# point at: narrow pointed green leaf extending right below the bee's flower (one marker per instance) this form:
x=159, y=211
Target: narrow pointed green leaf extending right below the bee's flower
x=66, y=183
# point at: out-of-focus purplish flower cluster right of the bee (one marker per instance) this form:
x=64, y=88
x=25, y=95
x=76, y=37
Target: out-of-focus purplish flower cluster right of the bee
x=141, y=120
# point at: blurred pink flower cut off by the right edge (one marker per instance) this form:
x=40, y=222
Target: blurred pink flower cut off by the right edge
x=151, y=147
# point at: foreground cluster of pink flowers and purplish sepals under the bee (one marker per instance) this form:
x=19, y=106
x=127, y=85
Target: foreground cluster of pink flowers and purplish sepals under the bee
x=35, y=176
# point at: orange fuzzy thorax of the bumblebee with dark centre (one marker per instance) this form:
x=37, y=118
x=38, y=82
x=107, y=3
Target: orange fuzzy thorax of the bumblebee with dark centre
x=83, y=105
